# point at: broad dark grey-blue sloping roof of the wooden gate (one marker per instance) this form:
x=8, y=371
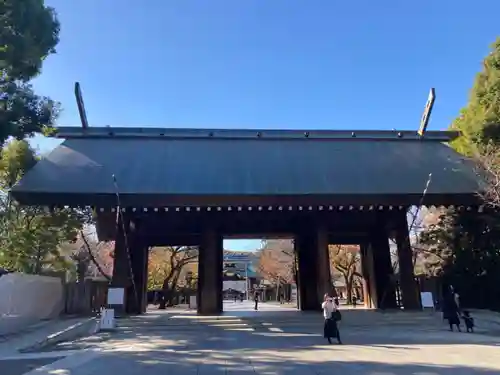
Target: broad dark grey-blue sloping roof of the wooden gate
x=190, y=166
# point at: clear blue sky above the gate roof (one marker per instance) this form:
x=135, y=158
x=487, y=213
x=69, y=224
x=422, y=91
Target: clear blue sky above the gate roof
x=266, y=64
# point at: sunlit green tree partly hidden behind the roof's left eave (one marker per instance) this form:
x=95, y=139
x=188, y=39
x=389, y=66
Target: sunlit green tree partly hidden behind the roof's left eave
x=30, y=237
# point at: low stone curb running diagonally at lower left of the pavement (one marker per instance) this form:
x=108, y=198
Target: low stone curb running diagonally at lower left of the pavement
x=86, y=327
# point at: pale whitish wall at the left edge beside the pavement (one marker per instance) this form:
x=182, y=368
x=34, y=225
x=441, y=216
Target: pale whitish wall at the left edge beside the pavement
x=27, y=299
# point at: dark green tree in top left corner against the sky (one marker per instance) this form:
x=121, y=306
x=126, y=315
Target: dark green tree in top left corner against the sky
x=28, y=34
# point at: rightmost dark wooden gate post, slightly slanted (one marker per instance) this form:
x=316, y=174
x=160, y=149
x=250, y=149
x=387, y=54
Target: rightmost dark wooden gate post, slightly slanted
x=408, y=285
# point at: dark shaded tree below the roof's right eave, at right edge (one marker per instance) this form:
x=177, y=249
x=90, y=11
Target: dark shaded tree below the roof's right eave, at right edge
x=466, y=248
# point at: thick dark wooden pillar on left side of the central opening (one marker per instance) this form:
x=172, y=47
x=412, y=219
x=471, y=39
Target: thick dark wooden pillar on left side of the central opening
x=209, y=298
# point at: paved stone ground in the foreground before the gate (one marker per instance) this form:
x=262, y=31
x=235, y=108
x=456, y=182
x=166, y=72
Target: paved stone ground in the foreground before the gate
x=229, y=348
